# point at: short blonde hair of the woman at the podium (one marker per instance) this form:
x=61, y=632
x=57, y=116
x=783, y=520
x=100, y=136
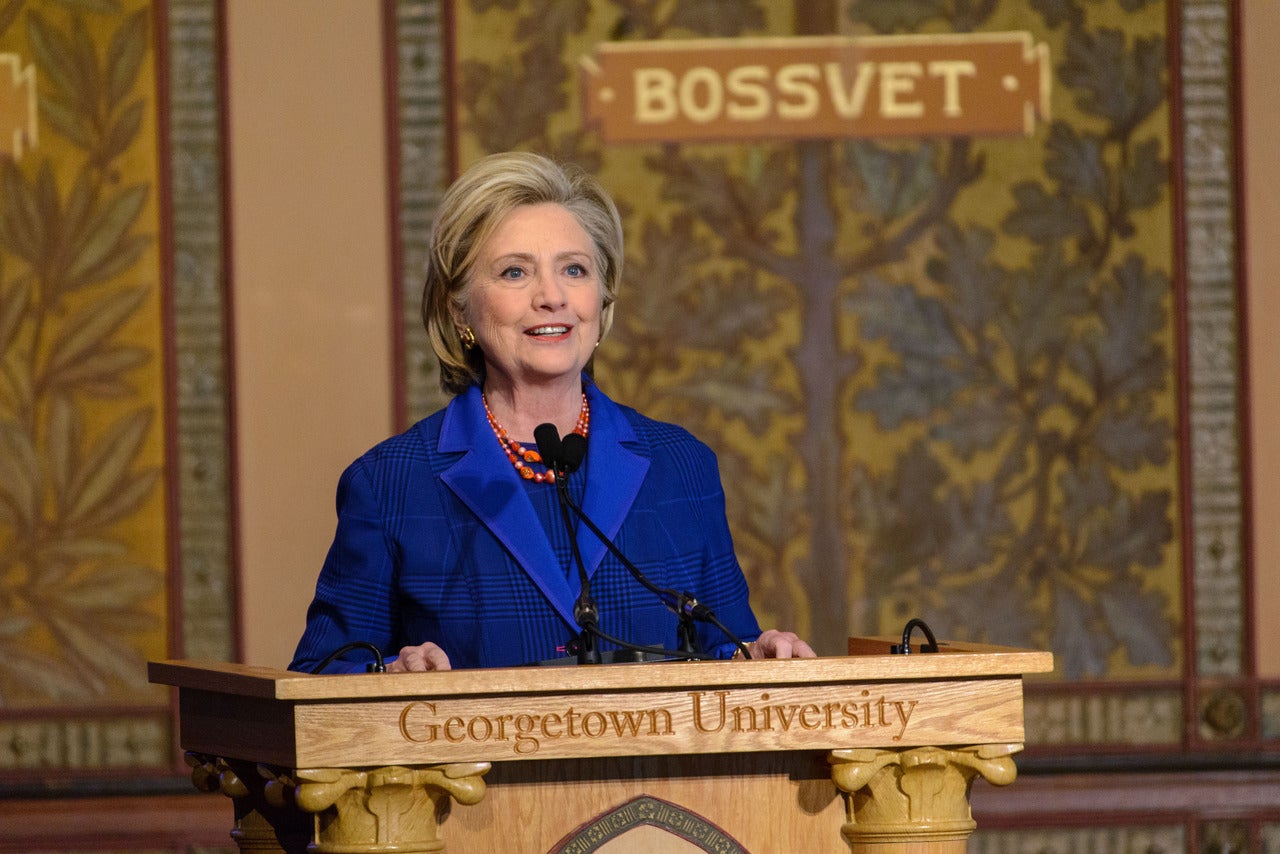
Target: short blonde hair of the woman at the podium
x=472, y=211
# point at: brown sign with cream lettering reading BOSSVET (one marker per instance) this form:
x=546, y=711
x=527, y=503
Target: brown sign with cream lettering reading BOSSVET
x=817, y=88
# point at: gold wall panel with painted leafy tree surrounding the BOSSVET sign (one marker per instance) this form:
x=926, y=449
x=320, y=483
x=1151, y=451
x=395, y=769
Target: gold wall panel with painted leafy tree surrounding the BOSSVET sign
x=940, y=373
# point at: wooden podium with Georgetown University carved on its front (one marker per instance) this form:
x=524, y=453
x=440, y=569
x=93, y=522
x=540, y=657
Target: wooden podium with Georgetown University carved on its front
x=870, y=753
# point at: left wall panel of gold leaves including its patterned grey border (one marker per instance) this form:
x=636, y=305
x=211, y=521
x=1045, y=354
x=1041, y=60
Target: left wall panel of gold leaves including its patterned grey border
x=115, y=514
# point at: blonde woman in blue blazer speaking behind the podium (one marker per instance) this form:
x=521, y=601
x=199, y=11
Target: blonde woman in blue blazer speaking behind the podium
x=451, y=551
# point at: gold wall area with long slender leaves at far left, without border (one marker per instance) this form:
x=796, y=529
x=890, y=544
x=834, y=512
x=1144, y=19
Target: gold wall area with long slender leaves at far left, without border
x=84, y=532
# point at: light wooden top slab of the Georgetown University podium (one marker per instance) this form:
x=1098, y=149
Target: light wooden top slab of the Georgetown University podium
x=870, y=663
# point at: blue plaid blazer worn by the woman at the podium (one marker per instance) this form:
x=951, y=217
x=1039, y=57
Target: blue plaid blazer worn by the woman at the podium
x=438, y=541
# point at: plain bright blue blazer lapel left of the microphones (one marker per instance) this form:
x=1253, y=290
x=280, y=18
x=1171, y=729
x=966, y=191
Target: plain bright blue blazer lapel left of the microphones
x=491, y=488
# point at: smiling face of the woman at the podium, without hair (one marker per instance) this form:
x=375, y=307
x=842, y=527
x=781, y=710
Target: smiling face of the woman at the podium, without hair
x=536, y=296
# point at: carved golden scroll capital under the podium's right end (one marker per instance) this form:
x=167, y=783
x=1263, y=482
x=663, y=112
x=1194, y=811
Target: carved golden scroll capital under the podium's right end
x=916, y=794
